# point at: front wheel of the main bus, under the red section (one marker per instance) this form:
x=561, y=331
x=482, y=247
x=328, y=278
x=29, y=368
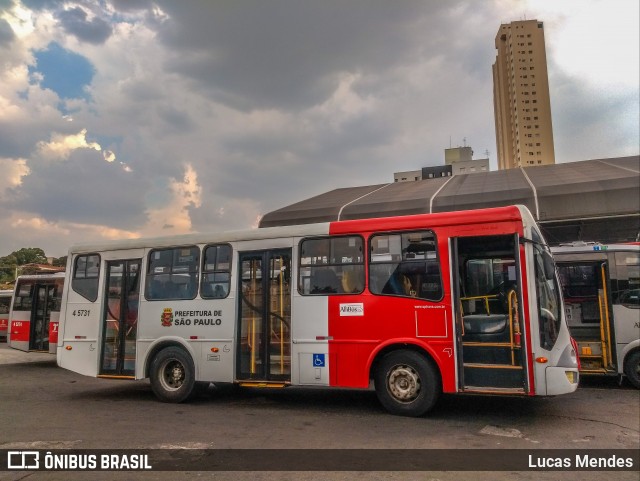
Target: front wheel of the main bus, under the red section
x=407, y=383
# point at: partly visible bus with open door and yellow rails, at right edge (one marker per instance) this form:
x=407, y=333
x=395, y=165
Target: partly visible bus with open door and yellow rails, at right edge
x=601, y=290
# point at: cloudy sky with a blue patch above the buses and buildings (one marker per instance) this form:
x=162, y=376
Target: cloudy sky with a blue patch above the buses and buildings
x=128, y=118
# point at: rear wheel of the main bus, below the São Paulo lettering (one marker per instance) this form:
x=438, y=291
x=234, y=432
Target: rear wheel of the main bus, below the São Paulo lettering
x=172, y=375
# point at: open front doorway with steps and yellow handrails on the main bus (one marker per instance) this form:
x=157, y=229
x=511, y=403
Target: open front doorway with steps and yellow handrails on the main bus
x=488, y=296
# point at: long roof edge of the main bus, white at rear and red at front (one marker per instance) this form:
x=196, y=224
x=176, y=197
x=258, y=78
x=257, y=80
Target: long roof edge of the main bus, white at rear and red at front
x=509, y=213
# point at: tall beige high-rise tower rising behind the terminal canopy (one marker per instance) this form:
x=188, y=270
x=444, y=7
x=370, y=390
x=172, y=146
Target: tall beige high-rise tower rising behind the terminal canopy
x=524, y=134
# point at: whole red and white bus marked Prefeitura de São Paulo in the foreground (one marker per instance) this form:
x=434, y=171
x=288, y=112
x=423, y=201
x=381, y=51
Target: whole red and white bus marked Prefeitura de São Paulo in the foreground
x=462, y=302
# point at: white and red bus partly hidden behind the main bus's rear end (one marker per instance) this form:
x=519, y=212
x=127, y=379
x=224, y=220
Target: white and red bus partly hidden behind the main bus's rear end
x=35, y=312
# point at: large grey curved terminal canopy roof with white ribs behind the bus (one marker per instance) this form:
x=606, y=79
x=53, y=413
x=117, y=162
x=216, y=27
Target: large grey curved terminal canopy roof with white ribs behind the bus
x=594, y=200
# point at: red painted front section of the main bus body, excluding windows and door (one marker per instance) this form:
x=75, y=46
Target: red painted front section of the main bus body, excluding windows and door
x=388, y=321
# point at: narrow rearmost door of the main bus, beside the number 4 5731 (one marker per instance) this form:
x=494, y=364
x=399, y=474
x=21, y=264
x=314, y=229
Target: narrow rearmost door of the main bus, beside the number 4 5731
x=120, y=318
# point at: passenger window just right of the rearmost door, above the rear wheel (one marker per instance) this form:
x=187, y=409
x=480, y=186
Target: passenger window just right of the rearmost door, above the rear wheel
x=172, y=273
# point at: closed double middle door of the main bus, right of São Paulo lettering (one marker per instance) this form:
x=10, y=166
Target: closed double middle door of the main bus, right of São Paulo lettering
x=264, y=333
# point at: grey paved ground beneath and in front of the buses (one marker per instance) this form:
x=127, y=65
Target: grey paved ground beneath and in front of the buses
x=45, y=407
